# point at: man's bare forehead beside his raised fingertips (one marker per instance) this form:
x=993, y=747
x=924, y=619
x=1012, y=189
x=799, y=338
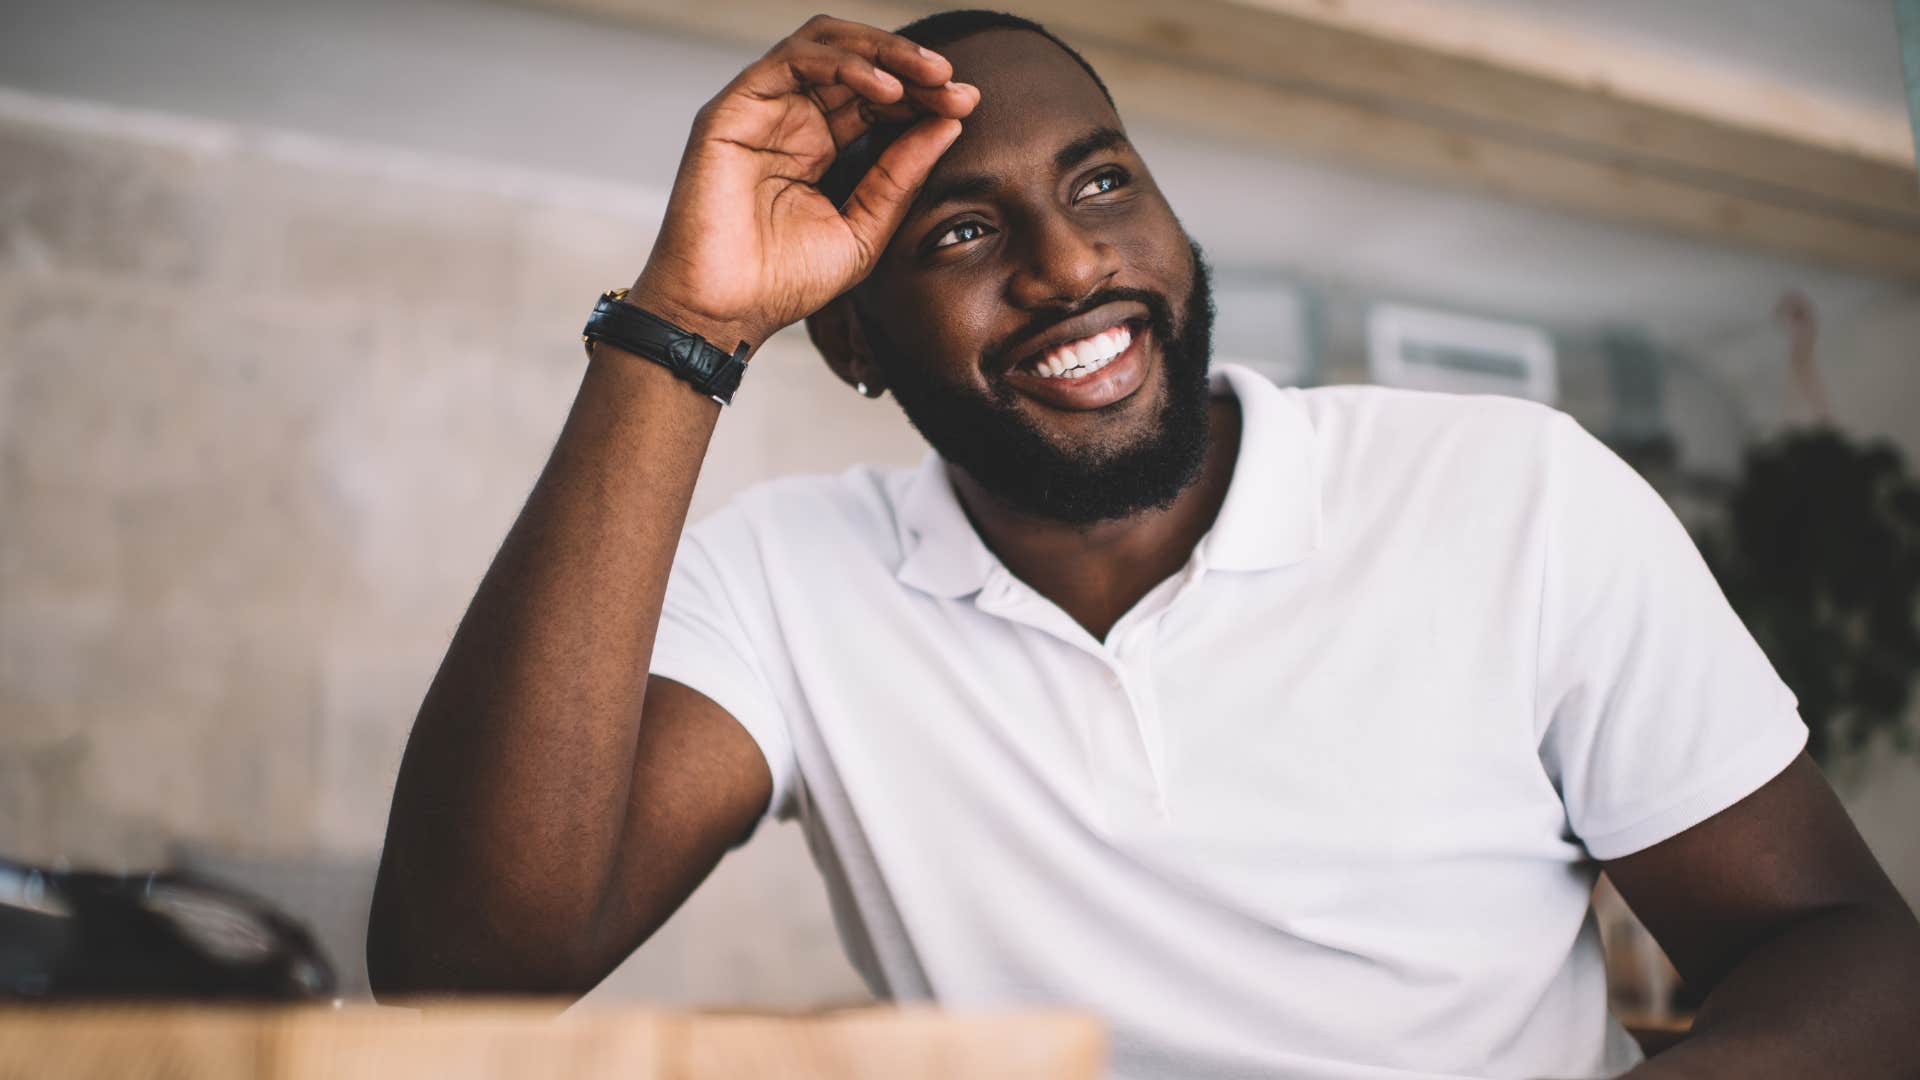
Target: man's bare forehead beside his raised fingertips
x=1032, y=97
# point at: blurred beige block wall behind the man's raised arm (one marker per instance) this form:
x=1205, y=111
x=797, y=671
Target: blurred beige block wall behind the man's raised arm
x=268, y=405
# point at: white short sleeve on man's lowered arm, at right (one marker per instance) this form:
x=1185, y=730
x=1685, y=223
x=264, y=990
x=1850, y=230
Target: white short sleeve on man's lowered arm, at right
x=1656, y=706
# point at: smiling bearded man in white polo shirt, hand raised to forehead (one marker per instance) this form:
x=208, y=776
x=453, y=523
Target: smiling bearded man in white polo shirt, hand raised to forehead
x=1284, y=729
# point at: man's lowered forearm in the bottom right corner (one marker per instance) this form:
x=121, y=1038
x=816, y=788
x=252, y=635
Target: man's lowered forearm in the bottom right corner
x=1838, y=994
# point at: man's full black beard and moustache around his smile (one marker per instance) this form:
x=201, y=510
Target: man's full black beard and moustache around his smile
x=1013, y=460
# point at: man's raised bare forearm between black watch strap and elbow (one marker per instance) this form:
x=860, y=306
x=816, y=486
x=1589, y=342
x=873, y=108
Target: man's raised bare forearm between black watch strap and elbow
x=510, y=804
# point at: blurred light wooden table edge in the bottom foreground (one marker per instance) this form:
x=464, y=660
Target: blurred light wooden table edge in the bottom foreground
x=529, y=1043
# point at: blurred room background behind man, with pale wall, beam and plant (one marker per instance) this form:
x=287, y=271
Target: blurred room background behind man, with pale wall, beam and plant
x=291, y=301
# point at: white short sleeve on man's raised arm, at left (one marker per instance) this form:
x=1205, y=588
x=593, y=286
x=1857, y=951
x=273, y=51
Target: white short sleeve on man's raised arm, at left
x=713, y=635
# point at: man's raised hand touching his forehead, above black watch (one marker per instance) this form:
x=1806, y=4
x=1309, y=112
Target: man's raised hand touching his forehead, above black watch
x=750, y=245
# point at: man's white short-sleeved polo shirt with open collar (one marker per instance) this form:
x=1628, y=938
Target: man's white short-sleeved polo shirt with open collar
x=1328, y=804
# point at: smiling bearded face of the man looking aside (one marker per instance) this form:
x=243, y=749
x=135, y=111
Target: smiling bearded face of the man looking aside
x=1042, y=316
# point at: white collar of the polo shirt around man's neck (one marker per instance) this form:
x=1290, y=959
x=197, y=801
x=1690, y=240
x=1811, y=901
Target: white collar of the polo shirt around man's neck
x=1270, y=518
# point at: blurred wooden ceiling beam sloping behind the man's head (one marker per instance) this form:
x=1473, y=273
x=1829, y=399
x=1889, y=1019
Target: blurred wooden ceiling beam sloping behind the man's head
x=1472, y=107
